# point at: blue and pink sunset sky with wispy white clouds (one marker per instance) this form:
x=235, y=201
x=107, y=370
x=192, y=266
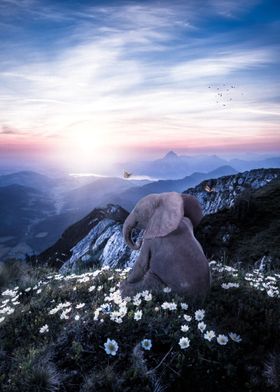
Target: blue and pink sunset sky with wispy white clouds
x=84, y=84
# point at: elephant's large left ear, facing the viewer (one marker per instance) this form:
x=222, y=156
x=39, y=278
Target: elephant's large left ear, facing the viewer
x=167, y=215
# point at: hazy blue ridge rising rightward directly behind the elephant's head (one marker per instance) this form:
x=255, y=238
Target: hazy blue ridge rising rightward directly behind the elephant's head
x=130, y=197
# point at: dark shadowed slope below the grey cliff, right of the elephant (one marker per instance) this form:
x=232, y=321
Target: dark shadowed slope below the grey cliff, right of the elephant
x=247, y=232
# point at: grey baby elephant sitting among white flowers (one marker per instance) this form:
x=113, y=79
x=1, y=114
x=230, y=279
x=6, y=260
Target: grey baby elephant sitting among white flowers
x=170, y=254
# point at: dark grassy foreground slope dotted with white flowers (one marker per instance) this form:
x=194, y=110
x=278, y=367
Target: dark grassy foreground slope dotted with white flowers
x=53, y=334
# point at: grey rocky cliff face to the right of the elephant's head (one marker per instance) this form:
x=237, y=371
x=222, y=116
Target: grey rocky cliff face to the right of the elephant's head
x=223, y=192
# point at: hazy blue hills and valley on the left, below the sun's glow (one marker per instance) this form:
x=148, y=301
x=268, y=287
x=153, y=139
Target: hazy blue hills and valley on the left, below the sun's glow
x=36, y=209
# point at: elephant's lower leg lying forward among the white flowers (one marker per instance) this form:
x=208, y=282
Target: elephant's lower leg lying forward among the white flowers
x=149, y=282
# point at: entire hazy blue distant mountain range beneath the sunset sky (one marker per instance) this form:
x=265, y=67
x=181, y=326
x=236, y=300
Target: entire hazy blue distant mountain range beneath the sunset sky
x=35, y=209
